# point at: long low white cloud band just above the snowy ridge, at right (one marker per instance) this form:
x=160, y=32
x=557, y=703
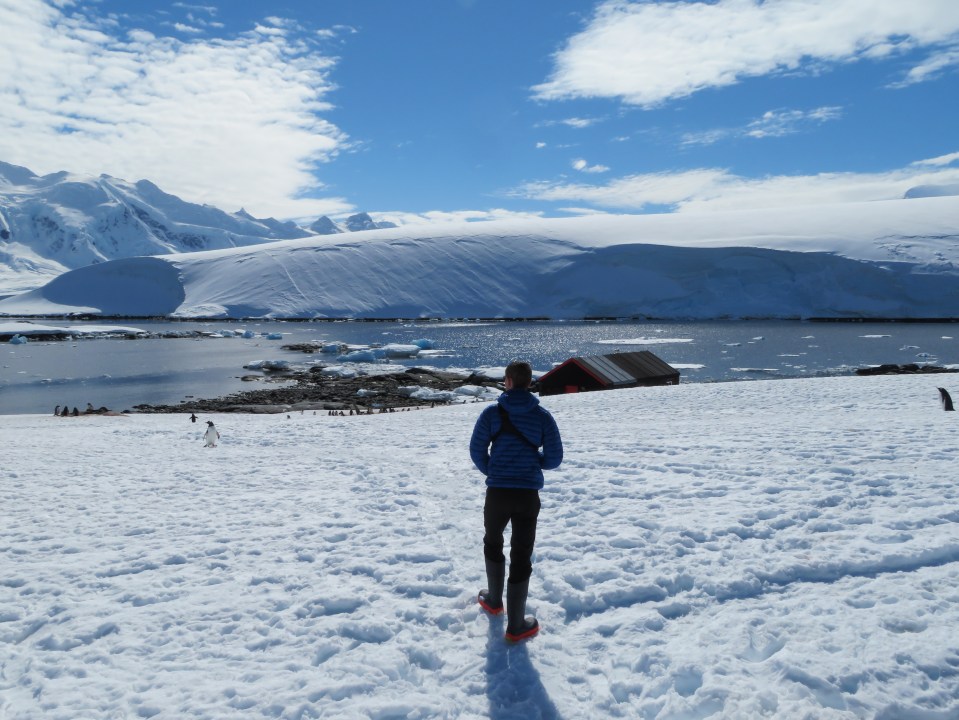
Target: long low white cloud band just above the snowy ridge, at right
x=717, y=189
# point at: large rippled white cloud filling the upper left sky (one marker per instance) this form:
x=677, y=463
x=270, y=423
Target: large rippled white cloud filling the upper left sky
x=230, y=121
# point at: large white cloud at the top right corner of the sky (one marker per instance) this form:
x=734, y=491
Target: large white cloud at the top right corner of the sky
x=649, y=52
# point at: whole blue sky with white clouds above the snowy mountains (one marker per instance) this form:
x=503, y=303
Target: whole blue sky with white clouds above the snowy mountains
x=418, y=110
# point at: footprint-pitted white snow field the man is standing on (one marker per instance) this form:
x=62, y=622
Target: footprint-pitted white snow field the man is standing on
x=777, y=548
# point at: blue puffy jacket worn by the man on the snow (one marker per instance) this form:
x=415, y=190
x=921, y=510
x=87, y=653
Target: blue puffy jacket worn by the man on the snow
x=513, y=463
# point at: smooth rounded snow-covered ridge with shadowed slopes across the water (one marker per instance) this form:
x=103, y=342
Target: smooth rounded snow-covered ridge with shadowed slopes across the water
x=890, y=259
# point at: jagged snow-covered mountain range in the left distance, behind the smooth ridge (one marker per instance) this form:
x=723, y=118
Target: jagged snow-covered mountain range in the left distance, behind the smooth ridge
x=54, y=223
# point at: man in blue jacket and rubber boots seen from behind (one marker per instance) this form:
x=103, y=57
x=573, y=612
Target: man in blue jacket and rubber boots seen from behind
x=516, y=427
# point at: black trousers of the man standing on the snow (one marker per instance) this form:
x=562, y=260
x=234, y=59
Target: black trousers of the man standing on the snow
x=521, y=508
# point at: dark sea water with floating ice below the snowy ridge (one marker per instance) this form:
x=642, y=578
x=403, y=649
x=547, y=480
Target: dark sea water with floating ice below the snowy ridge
x=121, y=373
